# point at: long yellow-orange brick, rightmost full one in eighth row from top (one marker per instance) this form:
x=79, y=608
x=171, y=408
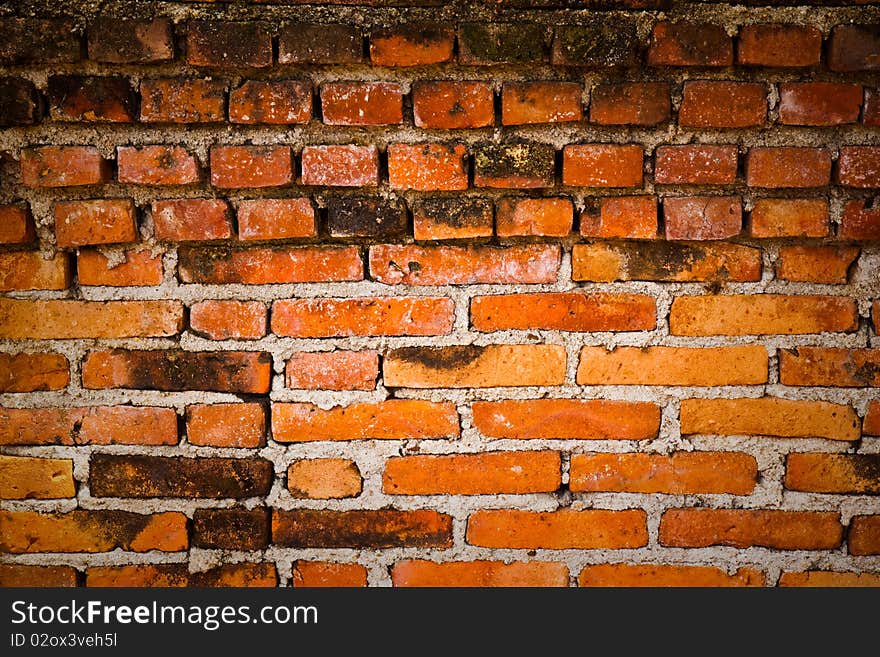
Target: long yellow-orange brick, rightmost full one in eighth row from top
x=769, y=416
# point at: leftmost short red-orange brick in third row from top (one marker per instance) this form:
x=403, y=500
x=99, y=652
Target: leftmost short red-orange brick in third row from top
x=63, y=166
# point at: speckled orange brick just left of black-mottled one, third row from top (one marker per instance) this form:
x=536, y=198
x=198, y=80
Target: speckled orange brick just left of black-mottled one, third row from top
x=427, y=167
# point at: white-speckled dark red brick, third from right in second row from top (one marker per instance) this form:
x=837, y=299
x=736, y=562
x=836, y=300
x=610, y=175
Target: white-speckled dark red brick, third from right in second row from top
x=721, y=104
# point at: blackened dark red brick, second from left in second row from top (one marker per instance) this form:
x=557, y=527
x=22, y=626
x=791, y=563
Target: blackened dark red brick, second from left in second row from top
x=87, y=99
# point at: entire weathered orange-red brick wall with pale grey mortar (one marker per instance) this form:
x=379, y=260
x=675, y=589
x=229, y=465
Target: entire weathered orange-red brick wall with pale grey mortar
x=484, y=293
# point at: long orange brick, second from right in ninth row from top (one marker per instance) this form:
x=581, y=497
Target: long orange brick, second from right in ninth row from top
x=681, y=473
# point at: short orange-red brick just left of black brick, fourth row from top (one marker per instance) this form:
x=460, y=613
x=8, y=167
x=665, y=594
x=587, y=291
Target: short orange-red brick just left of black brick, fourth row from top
x=276, y=219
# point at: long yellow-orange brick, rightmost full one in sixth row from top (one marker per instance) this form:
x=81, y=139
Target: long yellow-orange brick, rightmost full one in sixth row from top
x=765, y=314
